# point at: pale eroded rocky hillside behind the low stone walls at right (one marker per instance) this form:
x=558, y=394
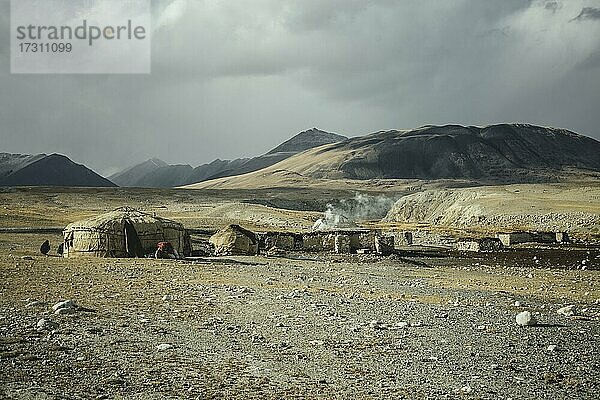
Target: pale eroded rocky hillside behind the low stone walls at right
x=552, y=207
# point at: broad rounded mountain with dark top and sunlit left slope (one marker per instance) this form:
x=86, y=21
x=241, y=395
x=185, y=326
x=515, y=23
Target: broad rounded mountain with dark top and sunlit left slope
x=495, y=153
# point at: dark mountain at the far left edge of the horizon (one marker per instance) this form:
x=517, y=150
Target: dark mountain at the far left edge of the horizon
x=46, y=170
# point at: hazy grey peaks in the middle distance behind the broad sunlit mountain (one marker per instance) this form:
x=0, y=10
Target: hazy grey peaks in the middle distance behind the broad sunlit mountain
x=157, y=173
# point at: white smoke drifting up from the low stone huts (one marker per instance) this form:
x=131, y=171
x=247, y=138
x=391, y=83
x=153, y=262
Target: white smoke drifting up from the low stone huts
x=347, y=212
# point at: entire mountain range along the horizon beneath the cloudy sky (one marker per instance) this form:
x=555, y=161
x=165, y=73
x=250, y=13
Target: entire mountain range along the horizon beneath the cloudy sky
x=501, y=153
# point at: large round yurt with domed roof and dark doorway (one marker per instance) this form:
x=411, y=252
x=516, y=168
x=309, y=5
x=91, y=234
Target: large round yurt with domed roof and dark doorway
x=124, y=232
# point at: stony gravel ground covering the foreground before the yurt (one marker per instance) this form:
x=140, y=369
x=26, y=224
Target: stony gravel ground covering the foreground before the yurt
x=310, y=327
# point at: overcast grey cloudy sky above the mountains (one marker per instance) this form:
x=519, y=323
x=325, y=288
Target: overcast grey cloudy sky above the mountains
x=234, y=78
